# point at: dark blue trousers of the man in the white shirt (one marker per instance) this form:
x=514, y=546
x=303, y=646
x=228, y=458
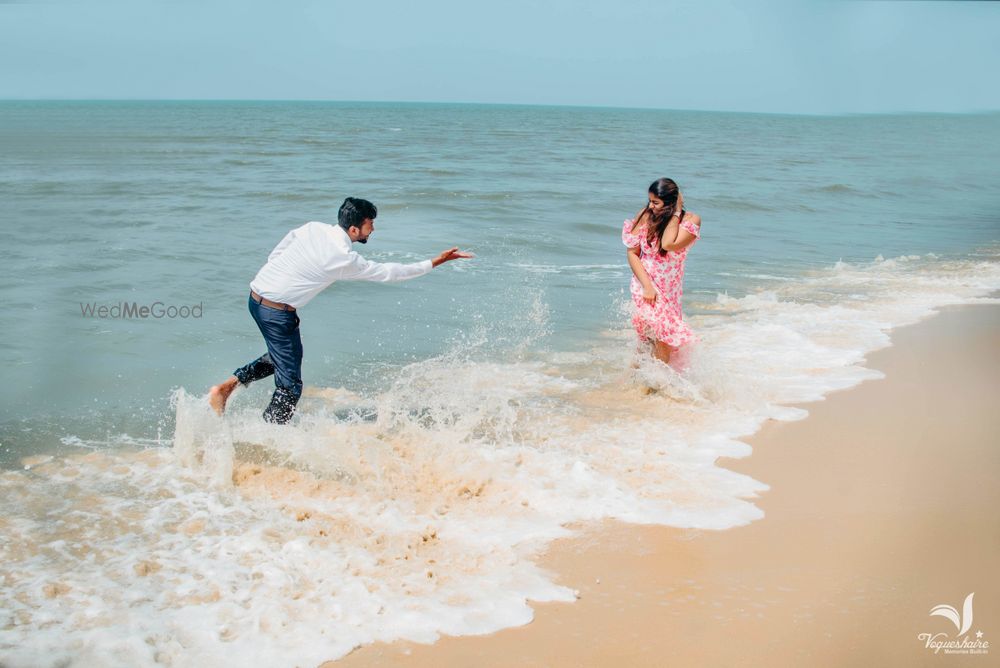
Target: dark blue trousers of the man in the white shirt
x=283, y=359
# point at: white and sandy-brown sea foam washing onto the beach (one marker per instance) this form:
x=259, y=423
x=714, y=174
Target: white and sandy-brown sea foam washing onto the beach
x=417, y=510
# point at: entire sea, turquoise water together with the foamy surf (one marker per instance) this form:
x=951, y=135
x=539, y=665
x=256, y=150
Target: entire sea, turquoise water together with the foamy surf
x=452, y=425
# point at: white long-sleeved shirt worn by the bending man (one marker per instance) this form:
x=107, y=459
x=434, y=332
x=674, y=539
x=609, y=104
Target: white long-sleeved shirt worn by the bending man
x=313, y=256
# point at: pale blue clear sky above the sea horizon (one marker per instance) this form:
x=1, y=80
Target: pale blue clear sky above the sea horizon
x=794, y=57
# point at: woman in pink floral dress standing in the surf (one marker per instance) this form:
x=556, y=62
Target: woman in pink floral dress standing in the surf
x=658, y=239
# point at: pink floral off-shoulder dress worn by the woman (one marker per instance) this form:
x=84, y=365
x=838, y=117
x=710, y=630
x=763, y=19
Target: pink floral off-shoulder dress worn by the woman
x=663, y=320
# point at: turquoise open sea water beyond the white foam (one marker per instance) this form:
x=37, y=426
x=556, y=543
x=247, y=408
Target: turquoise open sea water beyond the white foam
x=105, y=202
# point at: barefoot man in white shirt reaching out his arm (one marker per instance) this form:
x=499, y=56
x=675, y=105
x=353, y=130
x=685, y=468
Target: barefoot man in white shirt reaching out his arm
x=305, y=262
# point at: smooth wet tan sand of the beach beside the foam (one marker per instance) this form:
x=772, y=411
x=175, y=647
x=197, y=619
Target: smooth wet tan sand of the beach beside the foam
x=883, y=504
